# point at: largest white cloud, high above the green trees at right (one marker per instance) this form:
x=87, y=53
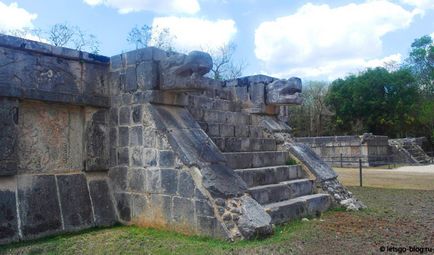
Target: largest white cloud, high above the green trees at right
x=320, y=41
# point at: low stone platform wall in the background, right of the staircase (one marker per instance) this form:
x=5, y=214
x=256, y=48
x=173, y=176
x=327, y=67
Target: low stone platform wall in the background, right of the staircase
x=345, y=151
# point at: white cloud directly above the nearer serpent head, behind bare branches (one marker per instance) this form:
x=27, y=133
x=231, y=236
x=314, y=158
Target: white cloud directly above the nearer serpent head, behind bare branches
x=195, y=33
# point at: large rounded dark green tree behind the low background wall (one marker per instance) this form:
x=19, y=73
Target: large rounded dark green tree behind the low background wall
x=376, y=101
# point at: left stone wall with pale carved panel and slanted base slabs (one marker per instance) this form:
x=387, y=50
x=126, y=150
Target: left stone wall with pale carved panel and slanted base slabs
x=53, y=136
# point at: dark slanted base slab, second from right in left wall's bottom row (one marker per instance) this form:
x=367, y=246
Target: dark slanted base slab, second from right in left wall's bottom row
x=75, y=201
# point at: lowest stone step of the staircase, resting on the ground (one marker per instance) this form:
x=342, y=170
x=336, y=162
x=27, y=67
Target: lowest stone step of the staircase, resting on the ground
x=296, y=208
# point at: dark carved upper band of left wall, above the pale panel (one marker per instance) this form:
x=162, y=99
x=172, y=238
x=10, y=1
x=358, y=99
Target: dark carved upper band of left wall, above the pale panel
x=40, y=71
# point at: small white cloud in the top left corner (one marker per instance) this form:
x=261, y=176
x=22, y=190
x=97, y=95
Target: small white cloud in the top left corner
x=13, y=17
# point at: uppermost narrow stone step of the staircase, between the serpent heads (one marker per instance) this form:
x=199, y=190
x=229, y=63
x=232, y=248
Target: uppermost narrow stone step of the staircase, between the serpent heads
x=207, y=103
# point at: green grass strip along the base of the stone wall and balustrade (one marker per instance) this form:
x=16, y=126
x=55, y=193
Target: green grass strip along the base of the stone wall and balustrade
x=136, y=240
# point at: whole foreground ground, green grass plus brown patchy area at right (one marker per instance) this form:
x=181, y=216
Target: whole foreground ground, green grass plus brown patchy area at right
x=395, y=218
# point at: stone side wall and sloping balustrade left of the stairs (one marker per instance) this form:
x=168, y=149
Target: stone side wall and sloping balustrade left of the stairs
x=165, y=171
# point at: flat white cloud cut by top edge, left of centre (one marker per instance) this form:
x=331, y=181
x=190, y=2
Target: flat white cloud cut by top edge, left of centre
x=159, y=6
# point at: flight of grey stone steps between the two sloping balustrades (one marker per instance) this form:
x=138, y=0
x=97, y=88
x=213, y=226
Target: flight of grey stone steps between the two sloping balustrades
x=283, y=190
